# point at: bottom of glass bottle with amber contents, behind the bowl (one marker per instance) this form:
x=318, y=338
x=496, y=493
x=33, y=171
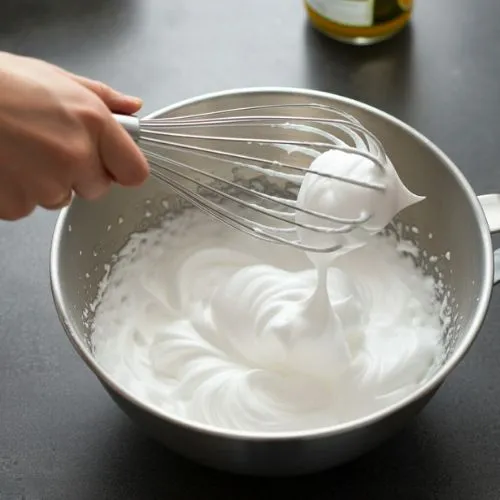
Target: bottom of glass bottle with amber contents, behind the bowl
x=359, y=22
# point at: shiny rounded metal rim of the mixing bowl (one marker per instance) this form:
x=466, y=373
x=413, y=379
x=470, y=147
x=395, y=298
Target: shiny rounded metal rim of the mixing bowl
x=424, y=390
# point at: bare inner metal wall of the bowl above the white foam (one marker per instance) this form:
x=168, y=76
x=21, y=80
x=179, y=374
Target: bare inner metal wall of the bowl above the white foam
x=448, y=225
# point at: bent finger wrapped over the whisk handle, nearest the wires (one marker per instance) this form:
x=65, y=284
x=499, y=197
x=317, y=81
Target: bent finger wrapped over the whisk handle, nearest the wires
x=120, y=156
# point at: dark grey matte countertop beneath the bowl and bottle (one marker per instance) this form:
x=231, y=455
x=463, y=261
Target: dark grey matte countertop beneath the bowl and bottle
x=61, y=437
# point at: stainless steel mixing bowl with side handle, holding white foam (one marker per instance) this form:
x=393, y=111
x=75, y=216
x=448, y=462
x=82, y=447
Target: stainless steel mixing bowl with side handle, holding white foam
x=451, y=219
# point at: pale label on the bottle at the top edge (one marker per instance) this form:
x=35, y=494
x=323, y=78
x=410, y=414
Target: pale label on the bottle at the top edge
x=349, y=12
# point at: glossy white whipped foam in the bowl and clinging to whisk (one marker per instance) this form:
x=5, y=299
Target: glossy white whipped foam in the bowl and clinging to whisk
x=210, y=325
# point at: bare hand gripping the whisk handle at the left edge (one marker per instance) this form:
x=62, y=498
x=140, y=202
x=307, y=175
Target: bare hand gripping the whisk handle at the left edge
x=58, y=136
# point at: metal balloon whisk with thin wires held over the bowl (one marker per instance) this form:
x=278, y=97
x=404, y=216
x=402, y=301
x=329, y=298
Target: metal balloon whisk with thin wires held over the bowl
x=237, y=189
